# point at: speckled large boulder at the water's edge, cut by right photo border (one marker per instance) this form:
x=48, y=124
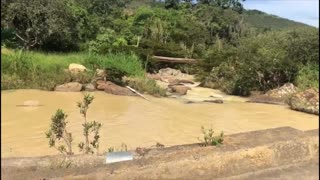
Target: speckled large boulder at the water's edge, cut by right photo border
x=306, y=101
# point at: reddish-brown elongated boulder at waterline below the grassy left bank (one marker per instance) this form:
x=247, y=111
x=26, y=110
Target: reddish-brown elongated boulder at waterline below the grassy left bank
x=112, y=88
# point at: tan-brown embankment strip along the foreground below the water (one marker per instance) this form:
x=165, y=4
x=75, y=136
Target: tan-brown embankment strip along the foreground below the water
x=279, y=153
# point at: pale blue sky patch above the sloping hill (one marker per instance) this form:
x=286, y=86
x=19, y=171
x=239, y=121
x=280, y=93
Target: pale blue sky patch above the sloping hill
x=305, y=11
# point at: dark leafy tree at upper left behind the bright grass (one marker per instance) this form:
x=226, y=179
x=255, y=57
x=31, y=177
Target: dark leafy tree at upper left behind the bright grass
x=35, y=21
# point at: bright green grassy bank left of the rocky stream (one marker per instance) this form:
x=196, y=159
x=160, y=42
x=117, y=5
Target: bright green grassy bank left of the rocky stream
x=37, y=70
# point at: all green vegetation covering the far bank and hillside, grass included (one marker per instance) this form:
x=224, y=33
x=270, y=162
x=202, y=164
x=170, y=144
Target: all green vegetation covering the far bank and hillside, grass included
x=240, y=51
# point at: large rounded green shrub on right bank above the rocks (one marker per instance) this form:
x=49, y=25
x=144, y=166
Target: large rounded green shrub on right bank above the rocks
x=263, y=62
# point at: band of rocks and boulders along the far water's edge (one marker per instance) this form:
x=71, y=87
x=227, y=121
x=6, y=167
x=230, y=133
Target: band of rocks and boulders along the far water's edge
x=184, y=87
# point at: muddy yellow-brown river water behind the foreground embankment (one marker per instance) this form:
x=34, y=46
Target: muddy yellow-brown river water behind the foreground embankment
x=134, y=121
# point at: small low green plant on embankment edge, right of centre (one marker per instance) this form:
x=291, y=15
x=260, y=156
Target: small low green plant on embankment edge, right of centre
x=209, y=139
